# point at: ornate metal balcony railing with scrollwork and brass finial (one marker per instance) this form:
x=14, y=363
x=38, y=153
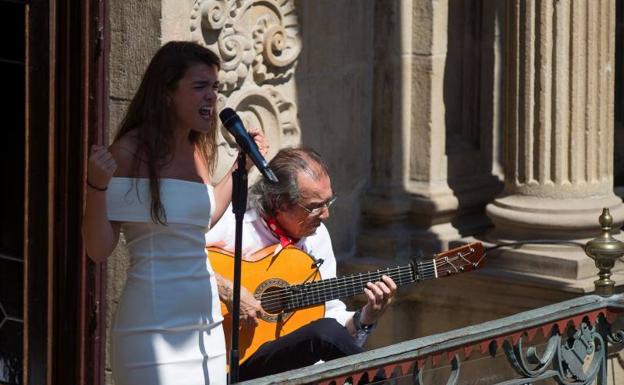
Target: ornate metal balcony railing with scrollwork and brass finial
x=566, y=343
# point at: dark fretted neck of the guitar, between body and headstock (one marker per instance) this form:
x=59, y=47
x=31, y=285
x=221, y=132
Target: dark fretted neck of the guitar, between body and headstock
x=314, y=293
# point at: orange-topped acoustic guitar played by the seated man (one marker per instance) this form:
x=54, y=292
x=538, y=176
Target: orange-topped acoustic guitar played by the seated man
x=289, y=287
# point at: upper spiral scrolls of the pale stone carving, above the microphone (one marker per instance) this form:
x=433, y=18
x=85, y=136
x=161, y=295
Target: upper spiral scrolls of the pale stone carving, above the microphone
x=257, y=36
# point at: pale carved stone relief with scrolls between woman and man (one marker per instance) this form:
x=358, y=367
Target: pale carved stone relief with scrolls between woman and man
x=258, y=42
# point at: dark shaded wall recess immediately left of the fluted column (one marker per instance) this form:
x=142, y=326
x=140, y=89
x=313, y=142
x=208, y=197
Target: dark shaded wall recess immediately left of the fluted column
x=473, y=97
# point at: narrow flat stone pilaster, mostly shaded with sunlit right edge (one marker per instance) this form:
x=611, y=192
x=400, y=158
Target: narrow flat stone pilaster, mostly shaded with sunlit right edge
x=385, y=207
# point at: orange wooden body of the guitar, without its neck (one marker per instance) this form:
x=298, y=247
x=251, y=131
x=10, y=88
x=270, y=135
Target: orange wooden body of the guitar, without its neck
x=265, y=278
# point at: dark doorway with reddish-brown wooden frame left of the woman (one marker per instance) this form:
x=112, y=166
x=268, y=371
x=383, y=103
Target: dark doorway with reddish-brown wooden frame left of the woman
x=53, y=65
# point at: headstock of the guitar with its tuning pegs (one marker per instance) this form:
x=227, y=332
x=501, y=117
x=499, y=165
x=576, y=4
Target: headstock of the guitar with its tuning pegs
x=460, y=259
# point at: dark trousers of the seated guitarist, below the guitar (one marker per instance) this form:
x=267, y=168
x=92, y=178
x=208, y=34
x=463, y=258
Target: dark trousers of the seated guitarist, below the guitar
x=323, y=339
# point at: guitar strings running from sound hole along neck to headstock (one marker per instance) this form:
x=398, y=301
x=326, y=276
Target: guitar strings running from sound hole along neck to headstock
x=286, y=296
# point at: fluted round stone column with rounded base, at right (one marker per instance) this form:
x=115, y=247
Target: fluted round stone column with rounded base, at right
x=558, y=133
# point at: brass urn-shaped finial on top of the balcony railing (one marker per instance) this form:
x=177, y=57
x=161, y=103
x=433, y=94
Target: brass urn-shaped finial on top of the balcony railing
x=605, y=250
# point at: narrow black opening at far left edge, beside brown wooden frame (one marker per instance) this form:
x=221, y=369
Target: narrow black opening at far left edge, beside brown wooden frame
x=12, y=68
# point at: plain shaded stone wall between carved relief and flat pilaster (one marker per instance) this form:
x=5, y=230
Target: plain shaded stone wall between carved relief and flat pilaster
x=333, y=92
